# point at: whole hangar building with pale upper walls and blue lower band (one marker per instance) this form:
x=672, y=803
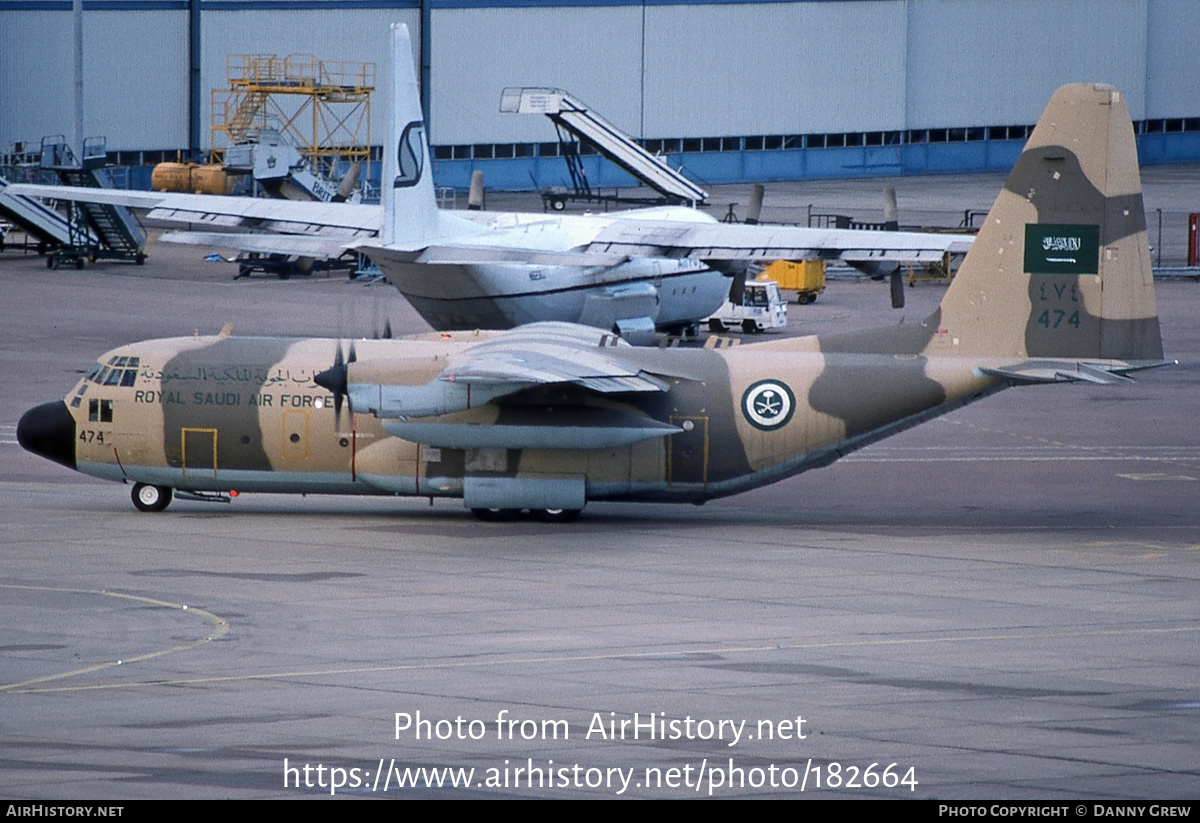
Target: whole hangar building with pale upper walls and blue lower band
x=731, y=91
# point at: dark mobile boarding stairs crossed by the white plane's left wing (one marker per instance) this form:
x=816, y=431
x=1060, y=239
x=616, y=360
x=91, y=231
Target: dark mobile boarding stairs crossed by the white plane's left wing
x=95, y=231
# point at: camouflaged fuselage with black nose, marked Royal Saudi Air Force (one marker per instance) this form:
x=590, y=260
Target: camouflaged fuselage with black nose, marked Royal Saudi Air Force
x=218, y=414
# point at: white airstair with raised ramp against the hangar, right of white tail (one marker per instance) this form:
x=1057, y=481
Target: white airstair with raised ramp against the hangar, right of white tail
x=574, y=118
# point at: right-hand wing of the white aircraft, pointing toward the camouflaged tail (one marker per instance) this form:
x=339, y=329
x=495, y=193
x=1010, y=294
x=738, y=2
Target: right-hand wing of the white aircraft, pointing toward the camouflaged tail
x=741, y=242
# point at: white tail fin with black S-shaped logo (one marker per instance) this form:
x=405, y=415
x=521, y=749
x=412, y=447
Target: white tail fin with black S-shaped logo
x=411, y=209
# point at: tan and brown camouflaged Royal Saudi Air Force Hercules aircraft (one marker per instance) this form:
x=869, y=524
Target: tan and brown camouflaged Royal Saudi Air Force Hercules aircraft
x=1057, y=289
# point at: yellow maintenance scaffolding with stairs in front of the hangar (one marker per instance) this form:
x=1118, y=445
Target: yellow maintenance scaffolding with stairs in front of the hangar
x=320, y=107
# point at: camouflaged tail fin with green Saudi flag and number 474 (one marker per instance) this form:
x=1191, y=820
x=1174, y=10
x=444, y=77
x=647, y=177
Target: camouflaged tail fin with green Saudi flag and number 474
x=1061, y=269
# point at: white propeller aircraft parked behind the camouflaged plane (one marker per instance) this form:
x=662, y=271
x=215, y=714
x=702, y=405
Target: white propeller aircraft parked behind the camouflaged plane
x=631, y=272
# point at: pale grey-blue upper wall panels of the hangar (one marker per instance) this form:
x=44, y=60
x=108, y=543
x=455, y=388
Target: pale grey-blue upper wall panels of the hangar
x=688, y=70
